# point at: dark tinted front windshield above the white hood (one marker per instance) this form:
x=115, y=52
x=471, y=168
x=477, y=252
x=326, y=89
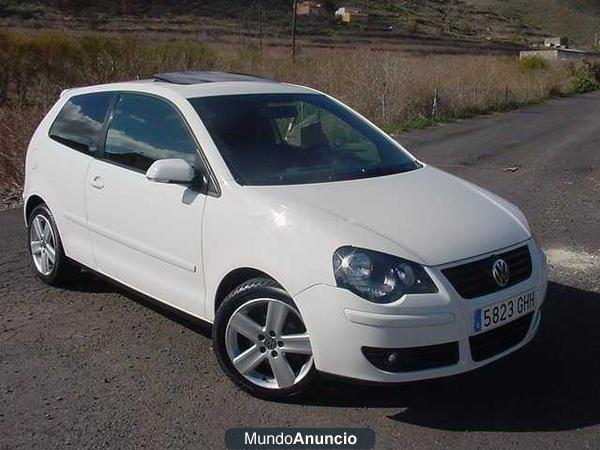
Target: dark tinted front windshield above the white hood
x=276, y=139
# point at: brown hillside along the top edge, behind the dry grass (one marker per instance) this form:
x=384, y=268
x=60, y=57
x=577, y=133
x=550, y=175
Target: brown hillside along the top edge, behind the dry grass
x=488, y=24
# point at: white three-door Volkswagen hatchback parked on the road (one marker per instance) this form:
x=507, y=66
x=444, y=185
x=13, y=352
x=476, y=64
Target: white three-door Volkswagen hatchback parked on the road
x=311, y=240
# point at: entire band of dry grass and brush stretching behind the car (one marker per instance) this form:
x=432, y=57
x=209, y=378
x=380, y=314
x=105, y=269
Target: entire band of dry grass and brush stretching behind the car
x=389, y=88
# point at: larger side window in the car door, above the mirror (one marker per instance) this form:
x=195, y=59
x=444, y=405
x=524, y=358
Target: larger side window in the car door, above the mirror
x=145, y=129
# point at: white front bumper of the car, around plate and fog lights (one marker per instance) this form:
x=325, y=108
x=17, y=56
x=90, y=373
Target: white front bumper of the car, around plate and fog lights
x=341, y=324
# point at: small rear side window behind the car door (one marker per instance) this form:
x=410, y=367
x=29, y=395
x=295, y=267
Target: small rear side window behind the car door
x=79, y=124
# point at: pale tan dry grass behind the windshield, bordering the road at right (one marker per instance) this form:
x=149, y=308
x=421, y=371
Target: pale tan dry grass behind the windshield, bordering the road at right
x=392, y=89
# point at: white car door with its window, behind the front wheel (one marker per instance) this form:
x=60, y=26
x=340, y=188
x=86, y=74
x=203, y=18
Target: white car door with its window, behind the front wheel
x=147, y=234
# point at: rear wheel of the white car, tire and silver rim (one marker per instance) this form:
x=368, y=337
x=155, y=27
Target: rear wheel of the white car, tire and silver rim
x=58, y=268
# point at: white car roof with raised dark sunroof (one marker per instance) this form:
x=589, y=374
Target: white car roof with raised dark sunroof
x=192, y=84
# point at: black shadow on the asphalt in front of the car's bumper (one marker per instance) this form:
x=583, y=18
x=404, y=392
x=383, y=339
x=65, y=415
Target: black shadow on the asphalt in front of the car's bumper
x=552, y=384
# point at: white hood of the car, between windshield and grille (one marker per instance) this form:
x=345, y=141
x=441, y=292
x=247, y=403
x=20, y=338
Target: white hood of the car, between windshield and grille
x=434, y=217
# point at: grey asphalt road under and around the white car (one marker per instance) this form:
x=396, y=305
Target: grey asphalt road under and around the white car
x=92, y=366
